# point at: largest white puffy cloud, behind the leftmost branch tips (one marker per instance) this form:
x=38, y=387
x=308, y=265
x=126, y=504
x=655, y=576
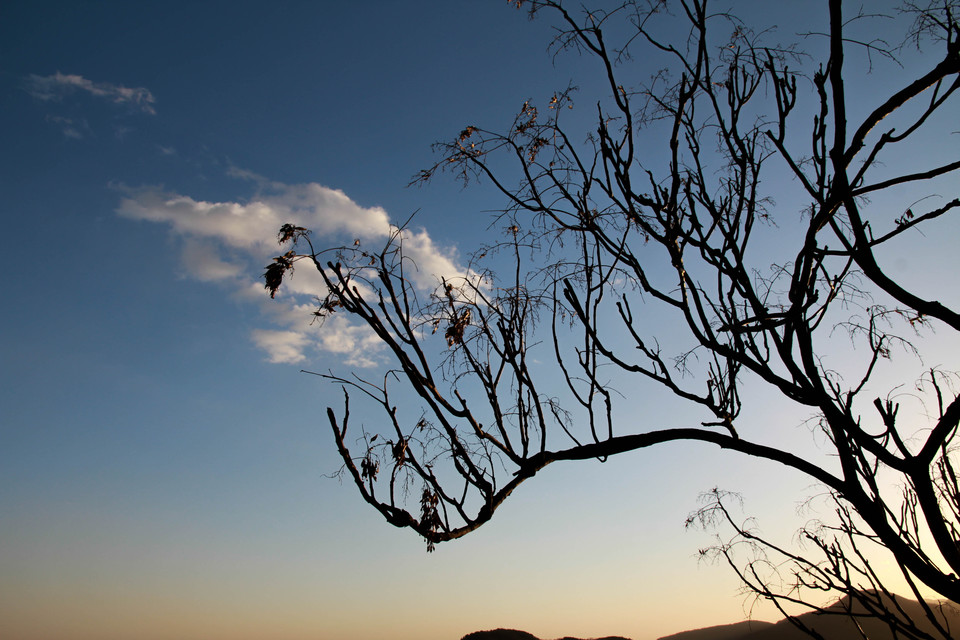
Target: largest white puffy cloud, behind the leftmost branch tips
x=231, y=242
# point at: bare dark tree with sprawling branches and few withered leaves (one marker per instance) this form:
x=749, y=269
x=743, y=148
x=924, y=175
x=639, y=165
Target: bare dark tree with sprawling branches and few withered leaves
x=665, y=212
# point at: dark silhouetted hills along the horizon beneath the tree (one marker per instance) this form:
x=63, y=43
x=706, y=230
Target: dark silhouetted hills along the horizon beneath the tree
x=832, y=625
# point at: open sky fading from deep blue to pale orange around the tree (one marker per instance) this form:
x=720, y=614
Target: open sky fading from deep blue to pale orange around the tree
x=165, y=468
